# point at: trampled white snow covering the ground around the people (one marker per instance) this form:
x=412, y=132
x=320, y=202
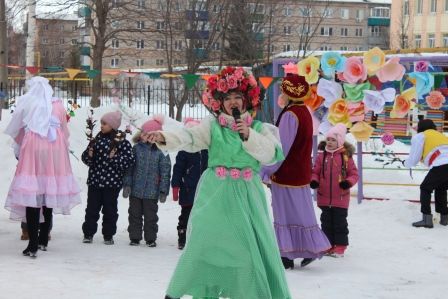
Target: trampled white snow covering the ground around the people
x=387, y=258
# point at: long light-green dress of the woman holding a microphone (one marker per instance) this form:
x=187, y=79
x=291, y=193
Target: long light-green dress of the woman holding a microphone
x=231, y=250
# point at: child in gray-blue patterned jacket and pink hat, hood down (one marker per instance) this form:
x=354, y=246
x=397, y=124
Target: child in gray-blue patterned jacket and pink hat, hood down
x=147, y=182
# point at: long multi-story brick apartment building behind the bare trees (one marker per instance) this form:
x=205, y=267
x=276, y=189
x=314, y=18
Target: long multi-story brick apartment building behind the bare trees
x=278, y=26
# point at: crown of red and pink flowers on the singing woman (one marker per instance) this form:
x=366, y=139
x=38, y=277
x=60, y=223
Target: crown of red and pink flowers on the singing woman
x=231, y=79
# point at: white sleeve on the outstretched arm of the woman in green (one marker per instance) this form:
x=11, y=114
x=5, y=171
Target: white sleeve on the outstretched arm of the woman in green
x=188, y=139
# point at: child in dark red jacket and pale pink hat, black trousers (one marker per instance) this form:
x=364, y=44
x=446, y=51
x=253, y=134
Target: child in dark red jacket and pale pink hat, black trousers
x=334, y=173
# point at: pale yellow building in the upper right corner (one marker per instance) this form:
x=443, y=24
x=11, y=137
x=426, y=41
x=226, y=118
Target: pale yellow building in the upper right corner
x=419, y=24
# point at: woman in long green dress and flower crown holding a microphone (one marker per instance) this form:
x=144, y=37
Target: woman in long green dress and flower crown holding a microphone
x=231, y=250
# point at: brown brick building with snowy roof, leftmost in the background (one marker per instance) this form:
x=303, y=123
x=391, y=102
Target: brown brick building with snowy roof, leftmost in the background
x=56, y=41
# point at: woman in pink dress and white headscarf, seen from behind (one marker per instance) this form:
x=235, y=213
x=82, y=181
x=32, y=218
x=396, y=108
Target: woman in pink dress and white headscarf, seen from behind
x=43, y=182
